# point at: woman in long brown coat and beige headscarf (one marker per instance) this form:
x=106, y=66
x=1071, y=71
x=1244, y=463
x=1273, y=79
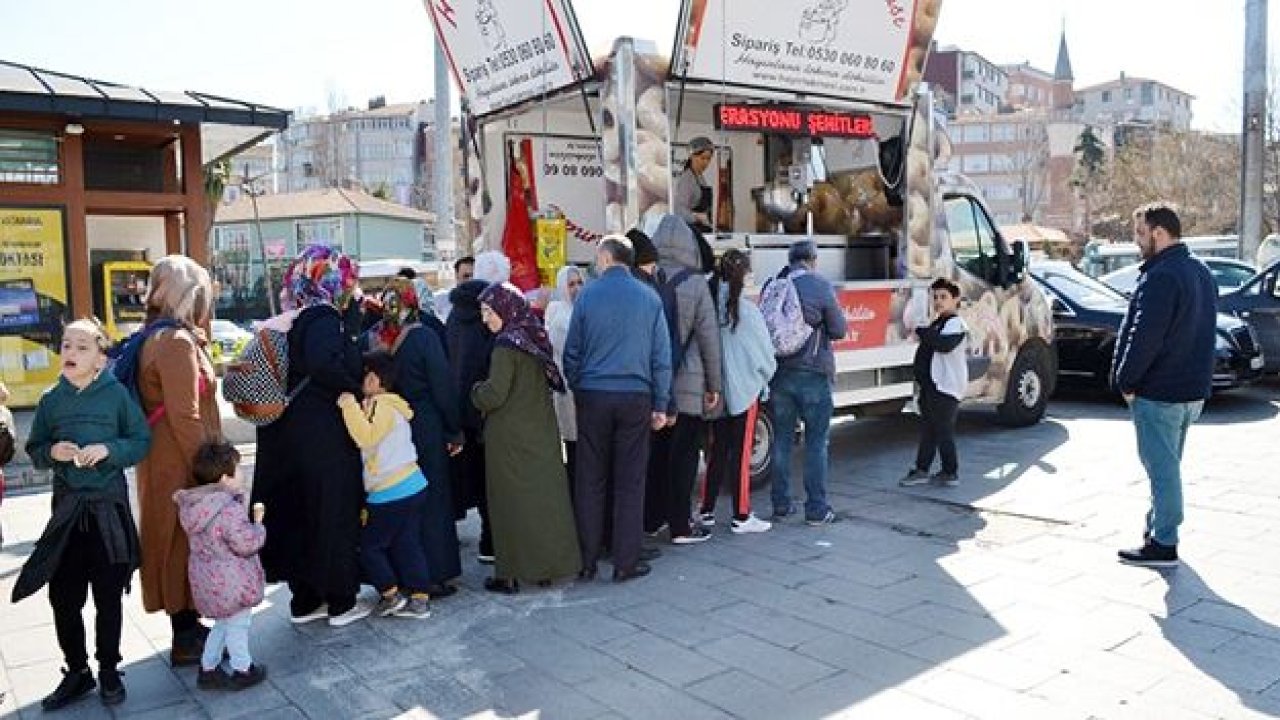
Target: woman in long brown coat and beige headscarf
x=177, y=386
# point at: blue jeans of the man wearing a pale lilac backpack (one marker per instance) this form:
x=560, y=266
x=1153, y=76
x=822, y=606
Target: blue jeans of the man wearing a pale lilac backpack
x=804, y=397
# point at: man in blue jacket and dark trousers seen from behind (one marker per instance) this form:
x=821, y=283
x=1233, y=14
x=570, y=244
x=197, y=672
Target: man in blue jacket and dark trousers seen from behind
x=618, y=362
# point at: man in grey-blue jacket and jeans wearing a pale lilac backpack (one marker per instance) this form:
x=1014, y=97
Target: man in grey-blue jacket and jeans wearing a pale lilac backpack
x=802, y=390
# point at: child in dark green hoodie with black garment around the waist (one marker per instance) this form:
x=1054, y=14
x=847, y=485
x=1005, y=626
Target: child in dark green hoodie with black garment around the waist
x=88, y=431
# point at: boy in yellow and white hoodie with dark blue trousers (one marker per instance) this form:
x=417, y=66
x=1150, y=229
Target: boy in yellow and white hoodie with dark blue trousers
x=391, y=545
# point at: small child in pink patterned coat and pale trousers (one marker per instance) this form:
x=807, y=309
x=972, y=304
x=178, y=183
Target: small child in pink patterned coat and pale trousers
x=226, y=576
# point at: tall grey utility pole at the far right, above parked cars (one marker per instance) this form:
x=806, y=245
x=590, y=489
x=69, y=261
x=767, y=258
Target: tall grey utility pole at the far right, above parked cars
x=1254, y=136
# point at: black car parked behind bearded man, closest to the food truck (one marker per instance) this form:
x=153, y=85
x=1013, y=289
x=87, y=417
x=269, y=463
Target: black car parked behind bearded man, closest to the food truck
x=1087, y=317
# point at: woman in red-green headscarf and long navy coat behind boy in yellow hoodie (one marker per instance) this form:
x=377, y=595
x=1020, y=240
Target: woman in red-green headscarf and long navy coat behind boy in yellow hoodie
x=426, y=382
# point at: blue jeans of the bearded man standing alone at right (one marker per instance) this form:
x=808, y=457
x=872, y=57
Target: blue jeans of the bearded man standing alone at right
x=1162, y=436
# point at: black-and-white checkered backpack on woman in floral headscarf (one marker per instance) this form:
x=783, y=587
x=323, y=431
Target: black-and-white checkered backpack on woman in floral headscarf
x=257, y=385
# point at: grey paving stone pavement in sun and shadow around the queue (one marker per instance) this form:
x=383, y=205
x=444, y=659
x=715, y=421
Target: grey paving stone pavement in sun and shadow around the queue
x=998, y=599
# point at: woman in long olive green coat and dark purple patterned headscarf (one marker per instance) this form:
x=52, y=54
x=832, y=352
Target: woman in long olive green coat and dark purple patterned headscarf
x=534, y=536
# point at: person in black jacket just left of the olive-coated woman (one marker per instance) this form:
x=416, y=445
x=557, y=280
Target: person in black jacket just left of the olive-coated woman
x=470, y=348
